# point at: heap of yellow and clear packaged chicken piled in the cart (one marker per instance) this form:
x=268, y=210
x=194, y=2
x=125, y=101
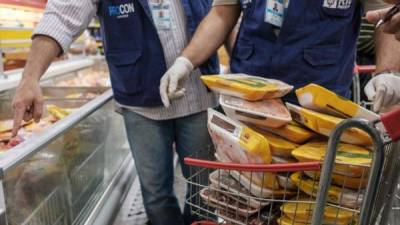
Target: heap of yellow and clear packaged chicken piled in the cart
x=258, y=128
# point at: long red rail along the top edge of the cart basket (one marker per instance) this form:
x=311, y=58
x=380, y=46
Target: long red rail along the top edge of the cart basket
x=285, y=167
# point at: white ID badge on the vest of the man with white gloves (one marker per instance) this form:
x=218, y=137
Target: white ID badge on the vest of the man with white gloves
x=274, y=12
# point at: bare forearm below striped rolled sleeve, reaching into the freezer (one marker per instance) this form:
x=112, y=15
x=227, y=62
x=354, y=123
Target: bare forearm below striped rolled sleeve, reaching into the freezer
x=42, y=53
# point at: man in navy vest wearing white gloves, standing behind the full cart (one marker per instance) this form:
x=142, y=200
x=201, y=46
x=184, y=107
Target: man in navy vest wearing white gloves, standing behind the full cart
x=302, y=42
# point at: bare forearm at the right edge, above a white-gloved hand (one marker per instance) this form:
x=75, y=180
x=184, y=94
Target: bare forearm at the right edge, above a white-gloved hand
x=387, y=52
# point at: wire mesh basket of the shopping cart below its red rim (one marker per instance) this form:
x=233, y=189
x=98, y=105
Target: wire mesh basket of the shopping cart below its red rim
x=230, y=193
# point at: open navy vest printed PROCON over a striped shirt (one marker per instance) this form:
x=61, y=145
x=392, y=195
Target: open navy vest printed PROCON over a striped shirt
x=134, y=52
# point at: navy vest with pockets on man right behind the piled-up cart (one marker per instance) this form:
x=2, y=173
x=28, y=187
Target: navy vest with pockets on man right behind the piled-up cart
x=316, y=44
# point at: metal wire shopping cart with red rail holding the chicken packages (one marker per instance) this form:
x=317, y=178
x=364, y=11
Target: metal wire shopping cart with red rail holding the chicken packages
x=300, y=193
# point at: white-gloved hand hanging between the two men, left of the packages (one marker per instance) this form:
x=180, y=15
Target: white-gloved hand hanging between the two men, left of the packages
x=169, y=85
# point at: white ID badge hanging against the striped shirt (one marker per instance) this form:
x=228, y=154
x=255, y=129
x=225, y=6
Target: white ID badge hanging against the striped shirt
x=161, y=12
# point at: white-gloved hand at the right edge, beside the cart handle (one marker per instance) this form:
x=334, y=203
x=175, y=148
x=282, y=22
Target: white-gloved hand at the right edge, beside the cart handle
x=384, y=91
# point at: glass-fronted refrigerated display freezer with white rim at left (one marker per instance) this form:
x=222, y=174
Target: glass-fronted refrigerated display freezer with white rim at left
x=66, y=174
